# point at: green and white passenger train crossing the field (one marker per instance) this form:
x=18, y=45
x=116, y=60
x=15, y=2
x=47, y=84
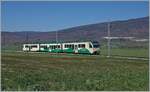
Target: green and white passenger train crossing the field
x=74, y=47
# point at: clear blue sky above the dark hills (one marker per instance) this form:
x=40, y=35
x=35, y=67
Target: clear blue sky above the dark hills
x=52, y=16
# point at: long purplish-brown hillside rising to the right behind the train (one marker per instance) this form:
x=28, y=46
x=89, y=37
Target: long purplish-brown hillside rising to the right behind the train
x=138, y=27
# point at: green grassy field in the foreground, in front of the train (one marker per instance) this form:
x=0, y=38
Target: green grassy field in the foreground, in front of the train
x=43, y=71
